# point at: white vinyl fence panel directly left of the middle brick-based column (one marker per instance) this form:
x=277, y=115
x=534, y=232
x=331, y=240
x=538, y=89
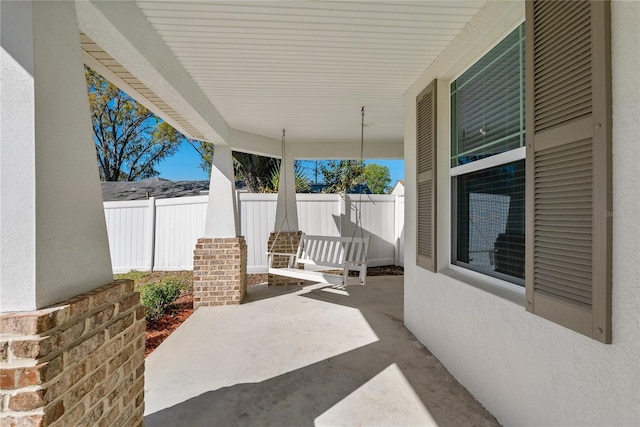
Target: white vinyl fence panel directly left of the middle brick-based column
x=179, y=225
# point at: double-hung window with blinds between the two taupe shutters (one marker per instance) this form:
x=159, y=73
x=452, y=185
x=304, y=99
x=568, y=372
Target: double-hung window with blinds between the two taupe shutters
x=487, y=162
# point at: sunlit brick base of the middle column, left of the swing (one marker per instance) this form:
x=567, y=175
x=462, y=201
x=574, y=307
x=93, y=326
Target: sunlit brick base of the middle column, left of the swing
x=219, y=271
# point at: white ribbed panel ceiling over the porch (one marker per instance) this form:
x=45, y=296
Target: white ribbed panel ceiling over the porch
x=308, y=66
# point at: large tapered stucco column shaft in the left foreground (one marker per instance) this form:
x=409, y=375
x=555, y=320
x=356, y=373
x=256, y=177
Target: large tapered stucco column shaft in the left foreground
x=54, y=239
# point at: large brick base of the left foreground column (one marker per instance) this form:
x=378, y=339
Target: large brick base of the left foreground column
x=80, y=362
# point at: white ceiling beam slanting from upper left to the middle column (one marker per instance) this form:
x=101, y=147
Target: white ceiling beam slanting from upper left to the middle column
x=123, y=32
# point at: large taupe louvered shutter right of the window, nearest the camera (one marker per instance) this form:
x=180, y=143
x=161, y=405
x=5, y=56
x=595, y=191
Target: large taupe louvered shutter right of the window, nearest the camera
x=568, y=248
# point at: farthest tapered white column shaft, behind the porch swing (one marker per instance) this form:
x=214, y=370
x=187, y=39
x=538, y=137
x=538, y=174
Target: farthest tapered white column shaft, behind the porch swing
x=286, y=209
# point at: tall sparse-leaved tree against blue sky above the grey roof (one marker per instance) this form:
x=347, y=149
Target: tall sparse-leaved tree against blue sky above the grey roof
x=130, y=140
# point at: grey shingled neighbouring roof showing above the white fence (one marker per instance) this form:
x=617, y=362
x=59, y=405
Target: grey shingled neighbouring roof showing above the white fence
x=153, y=187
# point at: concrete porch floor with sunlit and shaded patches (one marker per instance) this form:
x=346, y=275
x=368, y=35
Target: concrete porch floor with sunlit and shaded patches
x=304, y=356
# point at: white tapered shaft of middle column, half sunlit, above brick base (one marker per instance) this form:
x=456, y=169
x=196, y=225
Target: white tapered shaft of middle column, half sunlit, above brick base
x=222, y=210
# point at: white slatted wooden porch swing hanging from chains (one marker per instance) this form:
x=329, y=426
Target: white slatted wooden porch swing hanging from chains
x=318, y=254
